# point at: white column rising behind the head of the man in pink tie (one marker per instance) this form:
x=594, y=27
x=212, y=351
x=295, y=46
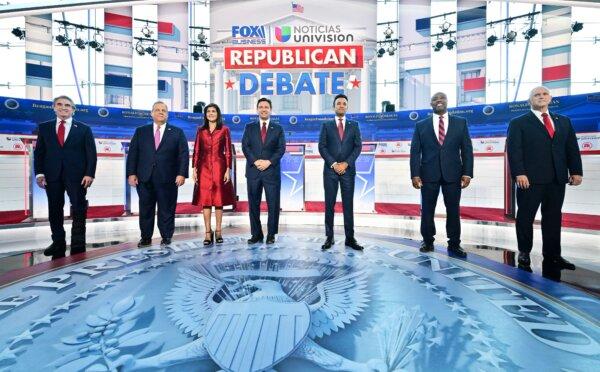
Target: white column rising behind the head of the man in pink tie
x=145, y=67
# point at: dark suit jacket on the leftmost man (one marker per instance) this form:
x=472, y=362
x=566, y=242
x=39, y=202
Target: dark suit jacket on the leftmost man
x=76, y=159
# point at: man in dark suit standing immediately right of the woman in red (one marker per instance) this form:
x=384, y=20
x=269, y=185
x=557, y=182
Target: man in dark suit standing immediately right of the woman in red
x=263, y=144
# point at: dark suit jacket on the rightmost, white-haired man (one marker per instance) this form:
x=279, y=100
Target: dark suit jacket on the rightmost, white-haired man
x=531, y=151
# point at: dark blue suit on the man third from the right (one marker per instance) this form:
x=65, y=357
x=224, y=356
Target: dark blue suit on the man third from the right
x=335, y=150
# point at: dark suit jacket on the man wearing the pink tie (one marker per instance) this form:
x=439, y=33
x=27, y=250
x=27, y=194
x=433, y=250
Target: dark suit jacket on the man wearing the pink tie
x=170, y=160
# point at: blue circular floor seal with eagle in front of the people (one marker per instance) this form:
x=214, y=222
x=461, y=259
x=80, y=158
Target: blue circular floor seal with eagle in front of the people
x=288, y=307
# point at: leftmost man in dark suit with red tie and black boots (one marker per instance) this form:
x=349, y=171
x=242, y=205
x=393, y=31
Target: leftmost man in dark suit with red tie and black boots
x=64, y=159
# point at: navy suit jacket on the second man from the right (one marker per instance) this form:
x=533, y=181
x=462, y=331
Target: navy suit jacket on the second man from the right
x=434, y=162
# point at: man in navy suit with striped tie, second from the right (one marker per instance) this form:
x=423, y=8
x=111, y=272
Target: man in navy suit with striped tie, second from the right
x=441, y=156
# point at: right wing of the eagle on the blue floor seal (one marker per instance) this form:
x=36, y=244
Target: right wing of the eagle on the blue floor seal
x=341, y=300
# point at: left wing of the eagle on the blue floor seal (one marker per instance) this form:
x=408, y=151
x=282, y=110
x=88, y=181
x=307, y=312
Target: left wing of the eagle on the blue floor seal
x=190, y=302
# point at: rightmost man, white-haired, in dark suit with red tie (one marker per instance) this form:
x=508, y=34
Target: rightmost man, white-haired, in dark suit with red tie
x=543, y=156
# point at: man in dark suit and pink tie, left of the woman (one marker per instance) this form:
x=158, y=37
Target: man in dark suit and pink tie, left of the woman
x=157, y=164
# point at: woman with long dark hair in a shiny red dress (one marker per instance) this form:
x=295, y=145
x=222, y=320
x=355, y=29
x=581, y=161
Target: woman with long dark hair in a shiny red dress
x=211, y=170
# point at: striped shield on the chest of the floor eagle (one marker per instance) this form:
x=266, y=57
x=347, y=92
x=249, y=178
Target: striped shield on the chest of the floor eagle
x=255, y=335
